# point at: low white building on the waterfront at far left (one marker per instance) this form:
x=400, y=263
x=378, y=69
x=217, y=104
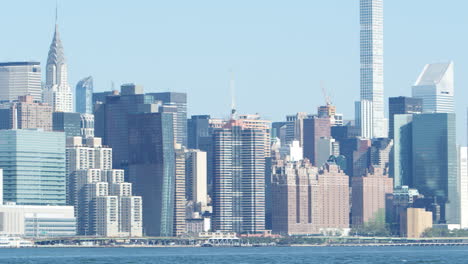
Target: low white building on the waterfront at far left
x=37, y=221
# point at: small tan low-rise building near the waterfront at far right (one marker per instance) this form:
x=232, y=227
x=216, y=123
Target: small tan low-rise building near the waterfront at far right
x=414, y=221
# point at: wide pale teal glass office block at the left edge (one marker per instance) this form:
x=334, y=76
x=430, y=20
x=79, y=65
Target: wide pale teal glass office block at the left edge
x=33, y=163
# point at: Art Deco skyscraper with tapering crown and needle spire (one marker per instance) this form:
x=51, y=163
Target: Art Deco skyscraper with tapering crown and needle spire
x=57, y=92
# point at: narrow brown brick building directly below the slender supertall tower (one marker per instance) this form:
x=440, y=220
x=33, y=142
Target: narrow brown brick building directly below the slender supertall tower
x=368, y=197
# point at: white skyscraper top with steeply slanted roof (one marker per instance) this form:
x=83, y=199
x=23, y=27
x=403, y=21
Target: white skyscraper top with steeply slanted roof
x=435, y=87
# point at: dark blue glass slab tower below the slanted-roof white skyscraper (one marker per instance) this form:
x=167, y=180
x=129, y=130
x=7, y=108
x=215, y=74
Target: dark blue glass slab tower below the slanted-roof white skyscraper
x=435, y=171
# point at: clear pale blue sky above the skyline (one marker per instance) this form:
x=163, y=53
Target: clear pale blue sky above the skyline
x=278, y=50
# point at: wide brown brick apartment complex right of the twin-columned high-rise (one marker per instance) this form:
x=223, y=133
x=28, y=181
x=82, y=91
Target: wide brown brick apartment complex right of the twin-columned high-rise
x=308, y=200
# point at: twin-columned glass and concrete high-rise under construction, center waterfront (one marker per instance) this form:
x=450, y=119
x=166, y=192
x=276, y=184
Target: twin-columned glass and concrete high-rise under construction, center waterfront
x=239, y=178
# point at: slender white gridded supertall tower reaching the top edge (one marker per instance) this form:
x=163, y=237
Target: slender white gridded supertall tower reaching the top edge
x=372, y=85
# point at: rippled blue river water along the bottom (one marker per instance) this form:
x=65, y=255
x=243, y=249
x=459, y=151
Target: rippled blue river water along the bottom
x=237, y=255
